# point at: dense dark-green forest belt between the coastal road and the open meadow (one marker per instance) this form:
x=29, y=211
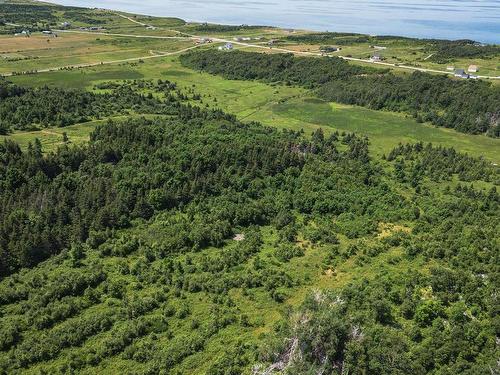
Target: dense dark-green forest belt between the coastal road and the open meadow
x=466, y=106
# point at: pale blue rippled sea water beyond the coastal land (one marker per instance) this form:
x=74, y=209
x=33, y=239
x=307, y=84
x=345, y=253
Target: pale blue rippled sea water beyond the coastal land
x=448, y=19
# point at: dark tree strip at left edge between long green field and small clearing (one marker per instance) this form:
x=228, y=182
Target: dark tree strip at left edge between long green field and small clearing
x=31, y=108
